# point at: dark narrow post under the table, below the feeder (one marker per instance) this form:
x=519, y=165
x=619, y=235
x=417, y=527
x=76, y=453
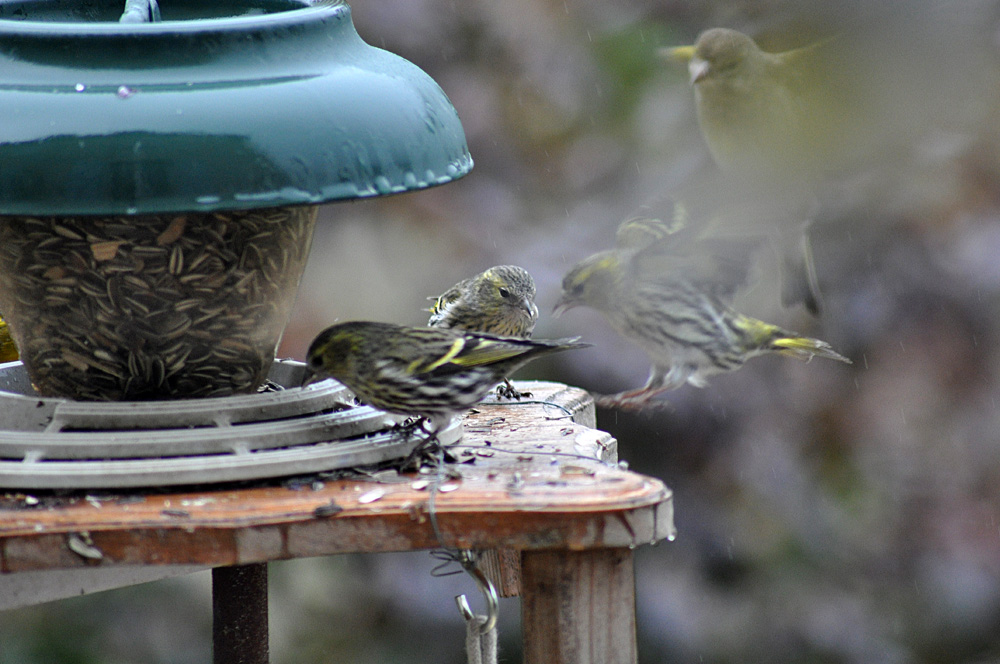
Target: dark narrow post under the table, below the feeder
x=239, y=614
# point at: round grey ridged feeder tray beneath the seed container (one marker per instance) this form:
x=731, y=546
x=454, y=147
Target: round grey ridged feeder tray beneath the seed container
x=49, y=443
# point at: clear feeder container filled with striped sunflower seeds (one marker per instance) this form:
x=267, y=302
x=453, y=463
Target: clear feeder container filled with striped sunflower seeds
x=153, y=306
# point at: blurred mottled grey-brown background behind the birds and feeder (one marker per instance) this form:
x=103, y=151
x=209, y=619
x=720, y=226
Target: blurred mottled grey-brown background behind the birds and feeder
x=825, y=513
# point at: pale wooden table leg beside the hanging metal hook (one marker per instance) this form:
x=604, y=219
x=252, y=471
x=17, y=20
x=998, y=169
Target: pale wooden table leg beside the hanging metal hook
x=578, y=607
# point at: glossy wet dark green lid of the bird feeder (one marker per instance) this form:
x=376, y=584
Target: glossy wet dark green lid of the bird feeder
x=219, y=106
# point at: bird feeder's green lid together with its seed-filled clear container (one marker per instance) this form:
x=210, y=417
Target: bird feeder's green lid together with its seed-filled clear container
x=159, y=180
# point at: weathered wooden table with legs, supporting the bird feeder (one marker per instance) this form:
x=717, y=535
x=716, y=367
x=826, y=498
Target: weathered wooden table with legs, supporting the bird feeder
x=535, y=484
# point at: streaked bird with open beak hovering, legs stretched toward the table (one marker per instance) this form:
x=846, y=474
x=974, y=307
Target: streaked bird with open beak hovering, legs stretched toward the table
x=678, y=313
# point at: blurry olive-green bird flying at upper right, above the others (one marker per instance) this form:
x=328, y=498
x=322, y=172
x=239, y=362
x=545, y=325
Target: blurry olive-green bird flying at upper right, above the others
x=774, y=123
